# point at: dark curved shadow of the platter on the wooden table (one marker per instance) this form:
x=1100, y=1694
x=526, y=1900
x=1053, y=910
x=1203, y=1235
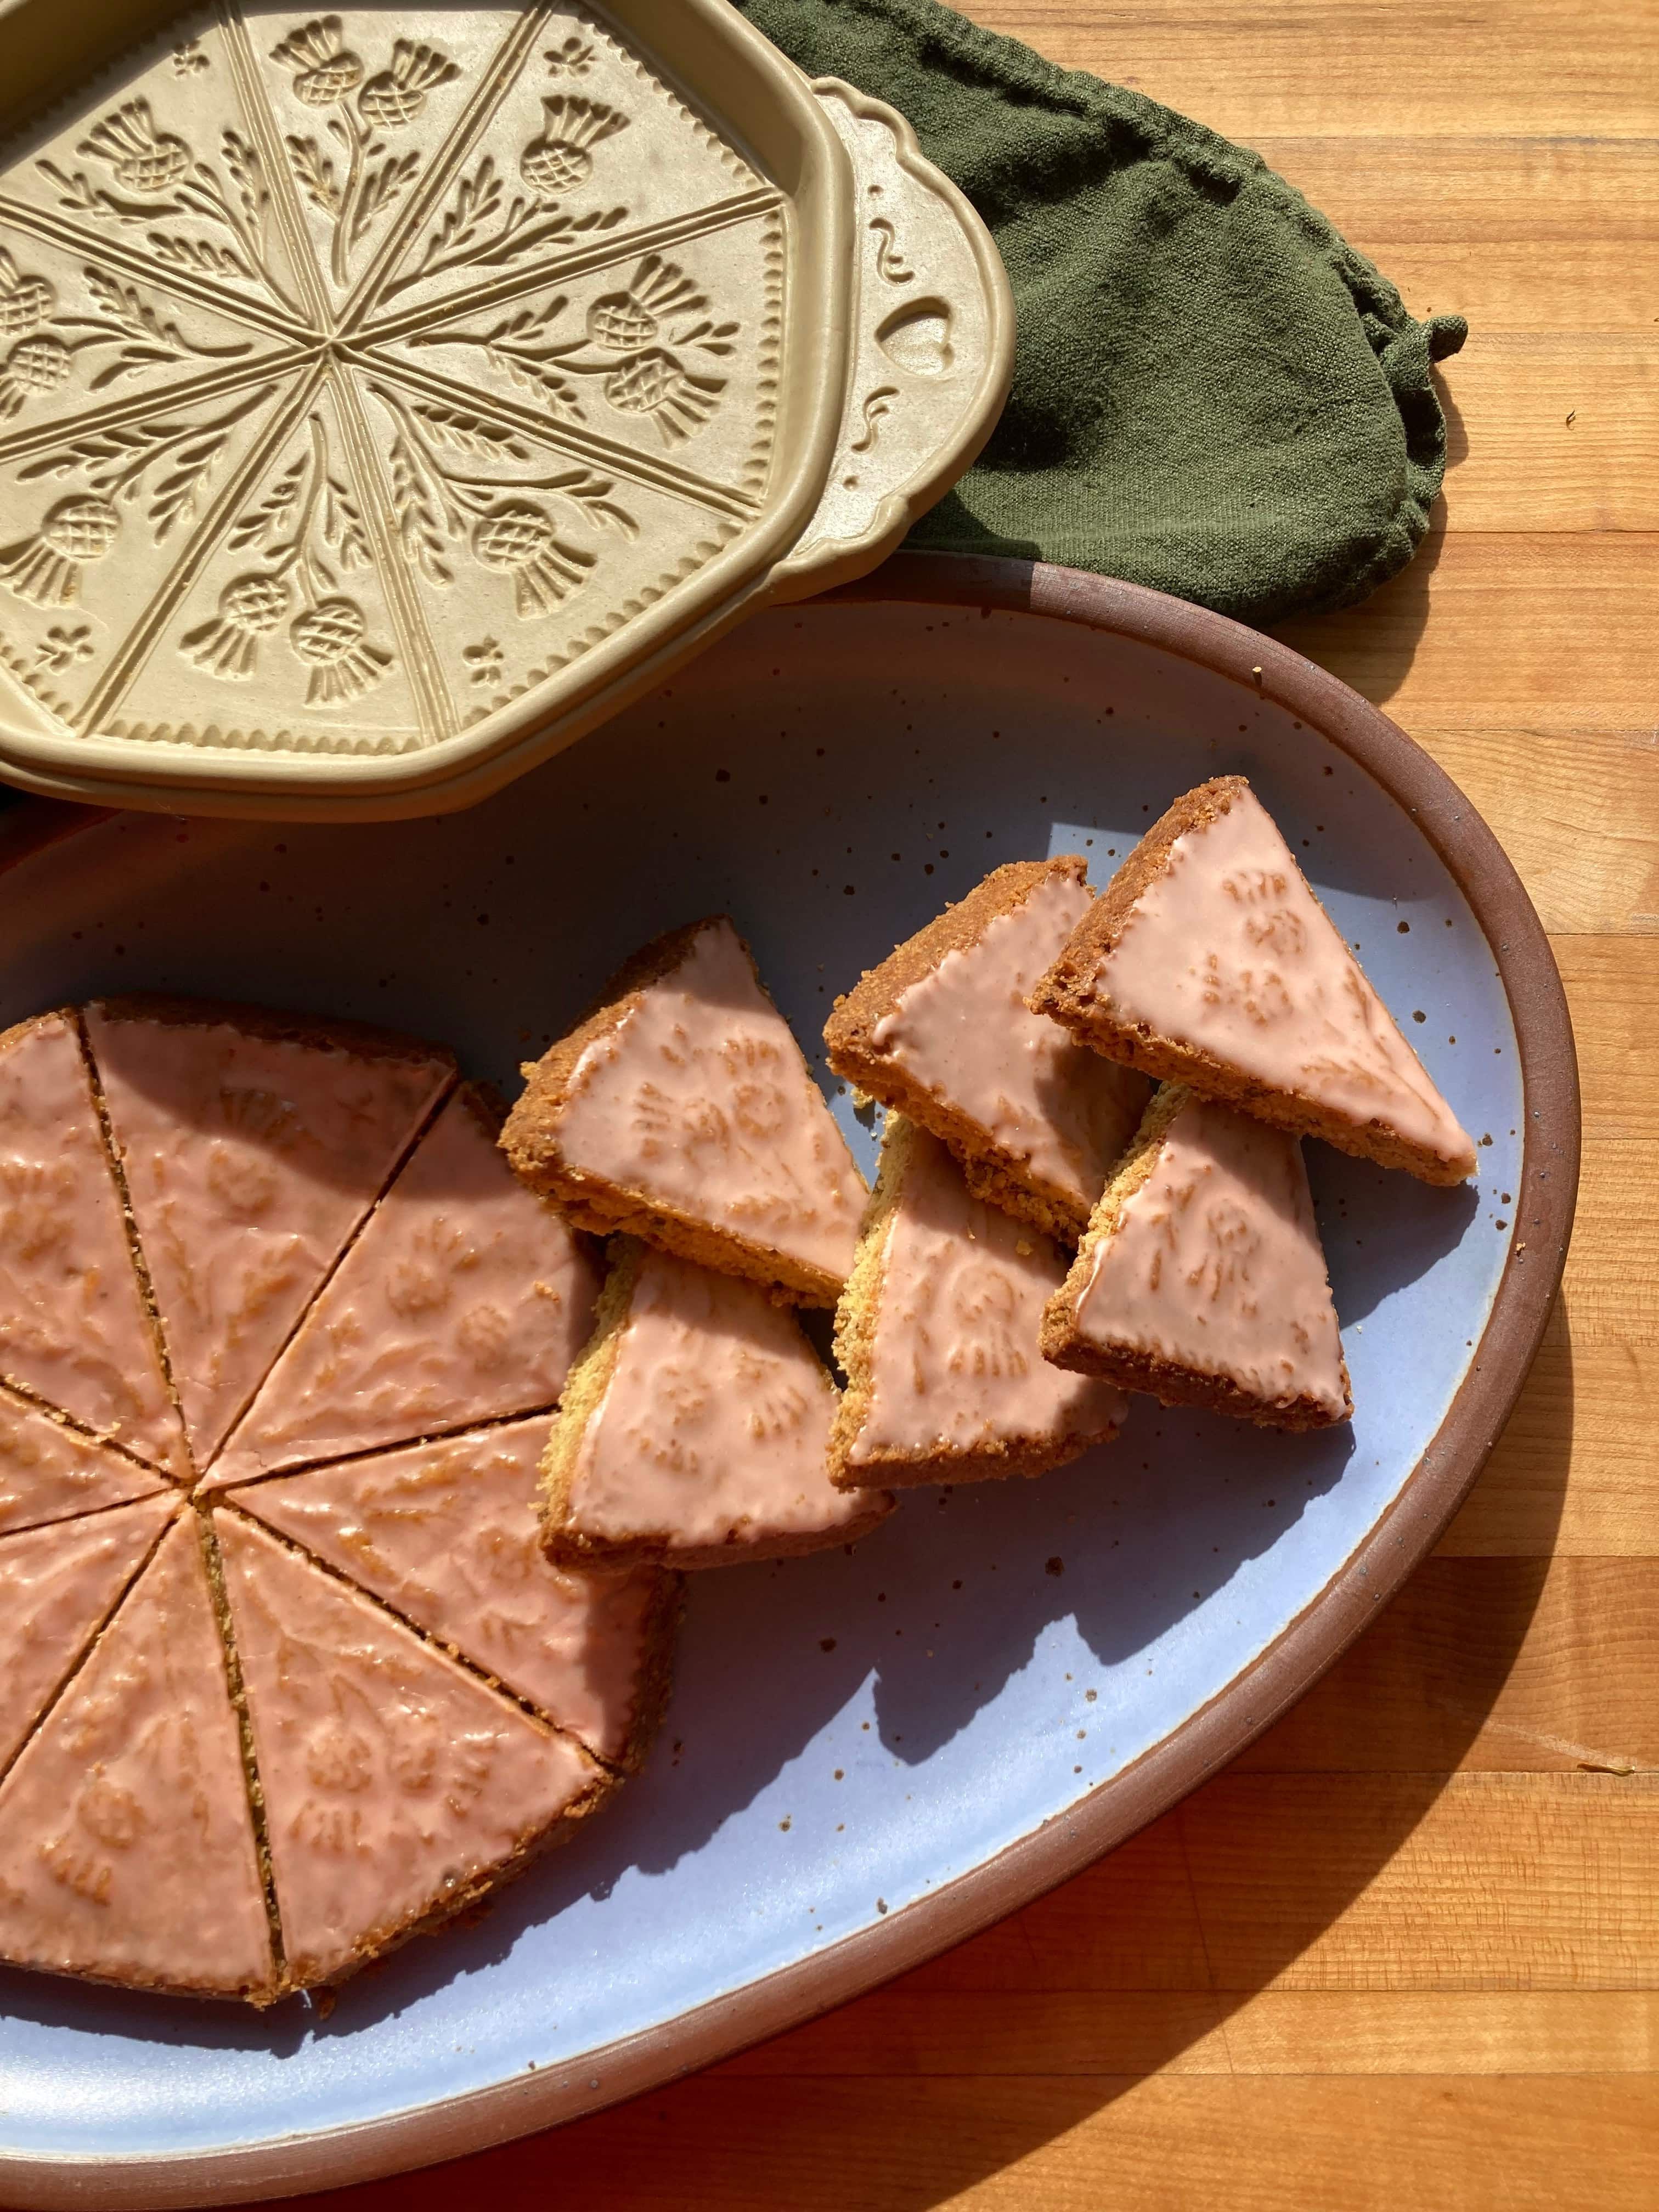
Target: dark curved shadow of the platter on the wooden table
x=970, y=2065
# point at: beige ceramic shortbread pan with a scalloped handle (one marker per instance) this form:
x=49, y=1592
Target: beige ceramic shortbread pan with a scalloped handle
x=388, y=397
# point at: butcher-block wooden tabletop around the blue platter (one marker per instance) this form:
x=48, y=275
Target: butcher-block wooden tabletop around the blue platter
x=1406, y=1952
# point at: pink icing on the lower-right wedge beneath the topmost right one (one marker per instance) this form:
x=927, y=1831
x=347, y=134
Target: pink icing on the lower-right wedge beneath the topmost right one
x=1215, y=1264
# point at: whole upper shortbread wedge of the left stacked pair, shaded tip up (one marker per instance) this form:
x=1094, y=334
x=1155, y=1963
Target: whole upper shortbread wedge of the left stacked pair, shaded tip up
x=682, y=1112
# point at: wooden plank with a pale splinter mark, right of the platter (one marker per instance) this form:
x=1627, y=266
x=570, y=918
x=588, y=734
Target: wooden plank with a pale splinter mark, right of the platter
x=1490, y=1665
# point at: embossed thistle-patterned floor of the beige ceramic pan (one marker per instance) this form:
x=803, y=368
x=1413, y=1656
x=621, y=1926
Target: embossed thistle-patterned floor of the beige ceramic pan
x=311, y=233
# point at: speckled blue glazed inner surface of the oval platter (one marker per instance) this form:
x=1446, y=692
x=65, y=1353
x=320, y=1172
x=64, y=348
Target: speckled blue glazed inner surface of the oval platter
x=848, y=1733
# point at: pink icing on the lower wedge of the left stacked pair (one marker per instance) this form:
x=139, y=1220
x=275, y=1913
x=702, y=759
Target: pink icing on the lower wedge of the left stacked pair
x=716, y=1421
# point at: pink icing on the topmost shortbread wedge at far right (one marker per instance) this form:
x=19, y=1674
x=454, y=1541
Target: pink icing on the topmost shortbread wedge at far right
x=1231, y=952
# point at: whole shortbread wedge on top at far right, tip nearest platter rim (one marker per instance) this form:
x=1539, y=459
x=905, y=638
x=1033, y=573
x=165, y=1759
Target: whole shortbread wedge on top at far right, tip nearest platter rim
x=1209, y=961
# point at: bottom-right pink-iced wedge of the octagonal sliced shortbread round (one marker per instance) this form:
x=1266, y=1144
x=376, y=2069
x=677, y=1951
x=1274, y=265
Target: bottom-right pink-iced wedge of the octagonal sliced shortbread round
x=399, y=1788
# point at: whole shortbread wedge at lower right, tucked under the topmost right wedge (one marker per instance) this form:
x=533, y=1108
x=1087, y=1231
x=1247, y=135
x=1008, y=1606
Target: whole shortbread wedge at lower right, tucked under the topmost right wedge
x=1202, y=1277
